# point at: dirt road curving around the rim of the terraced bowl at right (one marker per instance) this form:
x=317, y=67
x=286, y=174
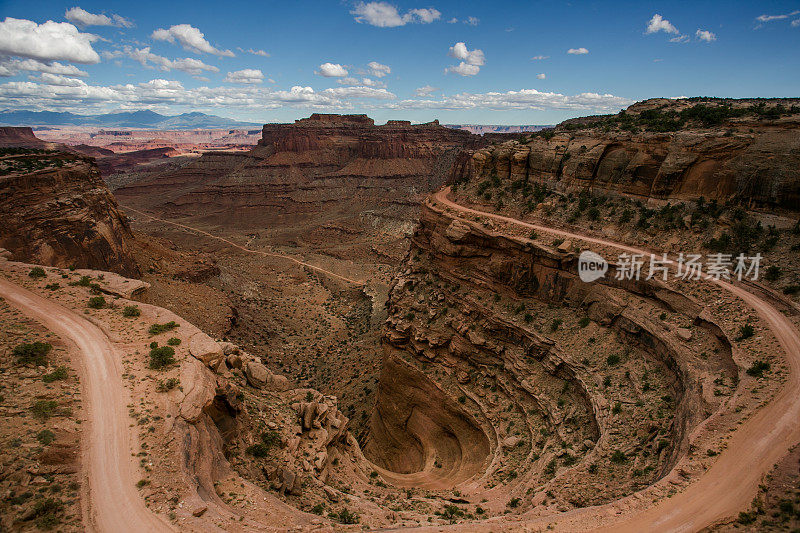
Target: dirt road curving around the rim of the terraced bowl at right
x=732, y=481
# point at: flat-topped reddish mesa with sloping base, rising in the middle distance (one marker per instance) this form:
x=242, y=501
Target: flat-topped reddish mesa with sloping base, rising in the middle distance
x=315, y=164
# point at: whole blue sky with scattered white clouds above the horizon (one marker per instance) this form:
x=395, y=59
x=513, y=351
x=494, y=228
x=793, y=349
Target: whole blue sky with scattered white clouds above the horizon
x=467, y=62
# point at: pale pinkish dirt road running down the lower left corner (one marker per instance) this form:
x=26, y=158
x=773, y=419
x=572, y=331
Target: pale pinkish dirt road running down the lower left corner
x=114, y=502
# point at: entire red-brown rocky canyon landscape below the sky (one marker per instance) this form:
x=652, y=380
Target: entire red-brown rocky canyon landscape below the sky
x=385, y=325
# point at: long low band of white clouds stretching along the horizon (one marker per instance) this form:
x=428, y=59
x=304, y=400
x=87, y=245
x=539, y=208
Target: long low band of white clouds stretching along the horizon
x=74, y=95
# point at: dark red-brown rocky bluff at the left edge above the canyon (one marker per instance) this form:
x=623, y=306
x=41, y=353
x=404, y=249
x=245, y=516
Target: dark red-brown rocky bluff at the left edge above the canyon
x=57, y=211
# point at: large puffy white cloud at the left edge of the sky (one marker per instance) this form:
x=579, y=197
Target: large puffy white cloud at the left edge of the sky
x=46, y=42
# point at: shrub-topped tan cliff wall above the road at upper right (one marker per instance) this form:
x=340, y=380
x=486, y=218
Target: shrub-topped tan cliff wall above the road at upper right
x=662, y=150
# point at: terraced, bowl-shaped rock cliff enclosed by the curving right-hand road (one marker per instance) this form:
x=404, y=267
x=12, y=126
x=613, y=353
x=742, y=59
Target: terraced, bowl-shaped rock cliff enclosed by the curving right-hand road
x=506, y=376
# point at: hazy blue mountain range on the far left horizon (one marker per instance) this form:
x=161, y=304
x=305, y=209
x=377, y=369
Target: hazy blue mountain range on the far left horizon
x=129, y=119
